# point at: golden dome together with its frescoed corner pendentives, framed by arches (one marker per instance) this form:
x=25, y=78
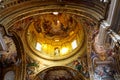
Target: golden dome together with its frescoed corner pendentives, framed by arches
x=54, y=39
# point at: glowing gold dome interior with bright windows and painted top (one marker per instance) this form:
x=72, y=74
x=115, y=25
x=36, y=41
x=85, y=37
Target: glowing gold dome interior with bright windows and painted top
x=55, y=35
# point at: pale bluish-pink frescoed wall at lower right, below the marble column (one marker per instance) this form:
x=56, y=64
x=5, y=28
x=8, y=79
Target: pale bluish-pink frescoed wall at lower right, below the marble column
x=102, y=61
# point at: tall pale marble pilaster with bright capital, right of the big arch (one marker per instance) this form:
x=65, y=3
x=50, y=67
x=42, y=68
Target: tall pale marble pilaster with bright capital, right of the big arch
x=106, y=23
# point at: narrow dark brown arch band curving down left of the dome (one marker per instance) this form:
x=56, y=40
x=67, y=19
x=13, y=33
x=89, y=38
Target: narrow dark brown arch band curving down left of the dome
x=20, y=62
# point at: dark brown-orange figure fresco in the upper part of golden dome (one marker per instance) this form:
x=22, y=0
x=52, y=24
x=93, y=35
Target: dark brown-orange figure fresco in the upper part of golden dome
x=55, y=25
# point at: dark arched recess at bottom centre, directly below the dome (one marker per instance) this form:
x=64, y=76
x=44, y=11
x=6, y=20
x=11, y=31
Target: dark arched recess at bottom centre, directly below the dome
x=59, y=73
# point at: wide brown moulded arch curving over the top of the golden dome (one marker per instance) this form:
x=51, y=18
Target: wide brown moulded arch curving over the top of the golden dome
x=34, y=9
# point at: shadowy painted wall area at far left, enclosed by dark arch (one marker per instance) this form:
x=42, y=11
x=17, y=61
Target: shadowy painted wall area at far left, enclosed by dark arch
x=9, y=58
